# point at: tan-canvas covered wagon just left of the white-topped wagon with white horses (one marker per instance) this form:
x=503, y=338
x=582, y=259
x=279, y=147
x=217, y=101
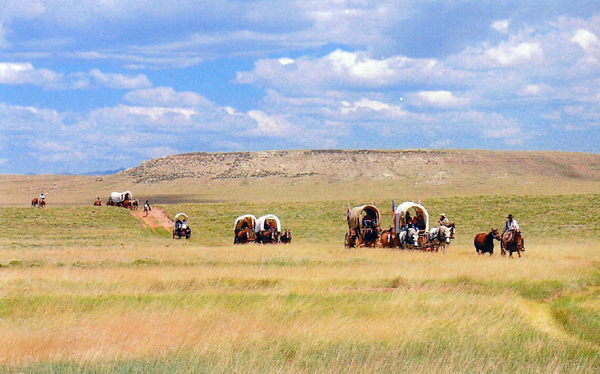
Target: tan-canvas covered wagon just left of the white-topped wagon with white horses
x=363, y=226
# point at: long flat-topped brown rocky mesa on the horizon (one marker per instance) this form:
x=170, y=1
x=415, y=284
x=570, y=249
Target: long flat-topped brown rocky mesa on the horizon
x=352, y=164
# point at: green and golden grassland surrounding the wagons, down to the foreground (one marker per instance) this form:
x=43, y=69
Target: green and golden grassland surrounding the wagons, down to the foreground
x=87, y=289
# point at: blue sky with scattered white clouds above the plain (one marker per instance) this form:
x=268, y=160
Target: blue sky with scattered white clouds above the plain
x=96, y=85
